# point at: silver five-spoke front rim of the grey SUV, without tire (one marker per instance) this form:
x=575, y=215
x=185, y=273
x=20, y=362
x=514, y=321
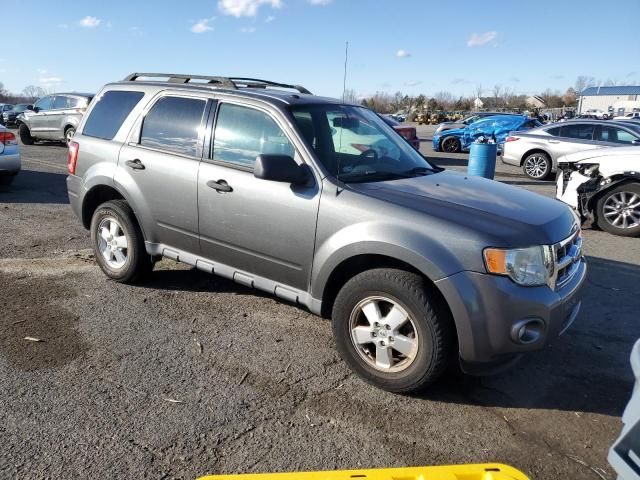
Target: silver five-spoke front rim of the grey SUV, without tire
x=384, y=334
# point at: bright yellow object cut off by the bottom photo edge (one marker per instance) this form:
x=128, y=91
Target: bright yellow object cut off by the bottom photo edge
x=488, y=471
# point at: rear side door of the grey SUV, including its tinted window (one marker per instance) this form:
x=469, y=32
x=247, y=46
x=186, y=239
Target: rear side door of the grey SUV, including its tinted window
x=158, y=167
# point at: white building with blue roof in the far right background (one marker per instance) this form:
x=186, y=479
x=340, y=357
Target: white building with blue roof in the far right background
x=612, y=100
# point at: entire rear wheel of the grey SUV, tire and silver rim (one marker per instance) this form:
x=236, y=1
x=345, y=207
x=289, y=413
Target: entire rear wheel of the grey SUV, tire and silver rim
x=118, y=243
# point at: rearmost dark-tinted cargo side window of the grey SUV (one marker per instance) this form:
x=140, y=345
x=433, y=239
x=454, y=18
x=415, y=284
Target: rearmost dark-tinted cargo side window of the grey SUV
x=112, y=109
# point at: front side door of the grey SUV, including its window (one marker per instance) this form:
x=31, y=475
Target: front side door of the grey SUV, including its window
x=260, y=227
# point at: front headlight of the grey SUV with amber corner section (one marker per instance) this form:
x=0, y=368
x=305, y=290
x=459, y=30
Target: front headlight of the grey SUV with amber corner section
x=529, y=267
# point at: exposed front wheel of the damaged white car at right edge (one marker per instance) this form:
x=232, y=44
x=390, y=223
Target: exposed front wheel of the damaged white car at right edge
x=606, y=213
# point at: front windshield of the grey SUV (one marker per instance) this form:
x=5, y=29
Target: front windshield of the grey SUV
x=355, y=144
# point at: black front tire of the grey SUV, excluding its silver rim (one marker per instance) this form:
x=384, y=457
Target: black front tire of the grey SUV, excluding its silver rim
x=435, y=339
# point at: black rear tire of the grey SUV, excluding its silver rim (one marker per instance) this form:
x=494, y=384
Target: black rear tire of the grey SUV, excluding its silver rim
x=138, y=263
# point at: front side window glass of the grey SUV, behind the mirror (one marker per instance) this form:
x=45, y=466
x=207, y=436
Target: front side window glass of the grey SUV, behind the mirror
x=243, y=133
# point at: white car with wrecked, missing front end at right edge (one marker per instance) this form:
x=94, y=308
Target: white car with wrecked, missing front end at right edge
x=603, y=186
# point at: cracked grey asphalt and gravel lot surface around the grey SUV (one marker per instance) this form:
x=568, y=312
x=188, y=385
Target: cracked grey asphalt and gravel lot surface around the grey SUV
x=190, y=374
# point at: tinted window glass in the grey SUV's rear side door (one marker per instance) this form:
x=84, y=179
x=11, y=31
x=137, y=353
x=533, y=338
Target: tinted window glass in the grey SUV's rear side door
x=172, y=124
